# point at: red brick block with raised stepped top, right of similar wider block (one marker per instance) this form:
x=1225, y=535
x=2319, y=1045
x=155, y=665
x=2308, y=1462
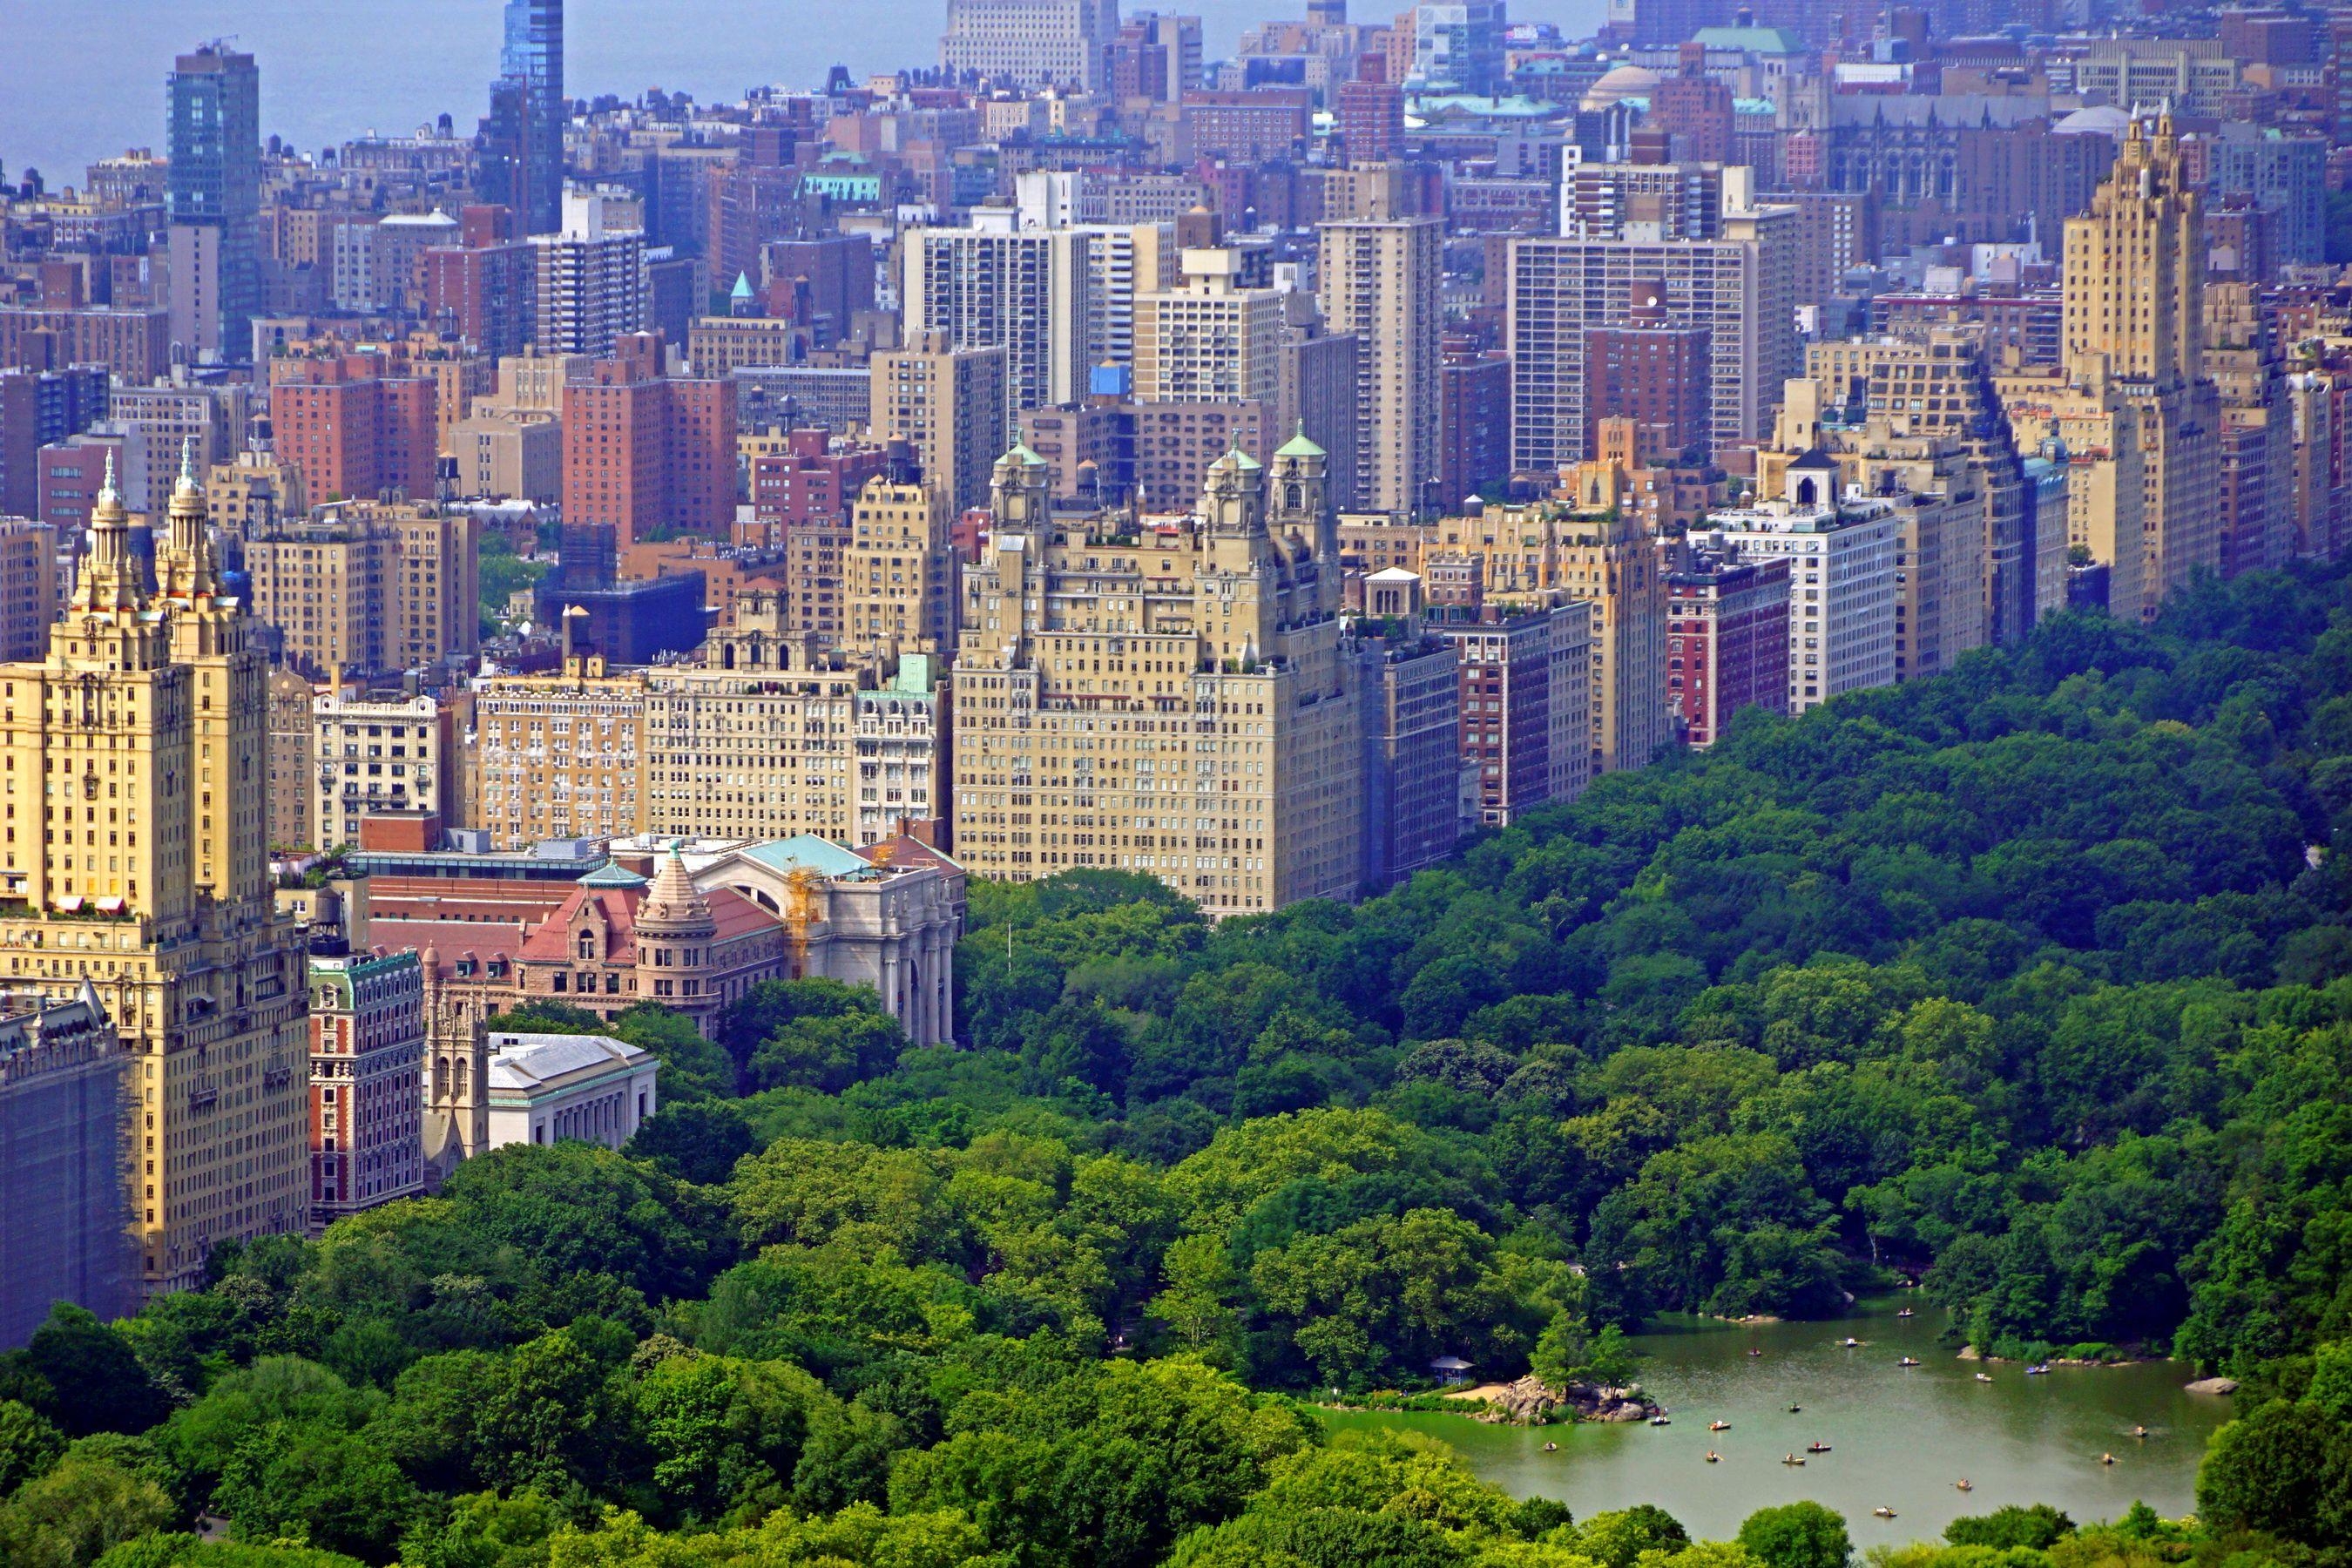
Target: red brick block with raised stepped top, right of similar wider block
x=646, y=450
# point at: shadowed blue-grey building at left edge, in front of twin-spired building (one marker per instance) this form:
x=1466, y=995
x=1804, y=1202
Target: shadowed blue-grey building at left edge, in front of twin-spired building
x=65, y=1137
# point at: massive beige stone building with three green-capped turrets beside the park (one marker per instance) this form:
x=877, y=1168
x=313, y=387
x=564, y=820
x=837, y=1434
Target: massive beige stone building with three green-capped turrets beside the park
x=1163, y=695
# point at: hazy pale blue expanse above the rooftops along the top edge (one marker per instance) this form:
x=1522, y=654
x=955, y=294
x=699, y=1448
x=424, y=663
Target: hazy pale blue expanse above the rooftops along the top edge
x=86, y=81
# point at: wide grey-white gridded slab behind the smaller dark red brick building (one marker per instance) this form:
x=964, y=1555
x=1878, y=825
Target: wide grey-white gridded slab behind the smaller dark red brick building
x=1739, y=288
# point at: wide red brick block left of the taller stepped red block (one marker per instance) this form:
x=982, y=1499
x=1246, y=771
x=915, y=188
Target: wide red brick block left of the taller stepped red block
x=352, y=429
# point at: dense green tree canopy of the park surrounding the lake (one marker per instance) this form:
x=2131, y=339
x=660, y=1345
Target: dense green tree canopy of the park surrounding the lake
x=2033, y=981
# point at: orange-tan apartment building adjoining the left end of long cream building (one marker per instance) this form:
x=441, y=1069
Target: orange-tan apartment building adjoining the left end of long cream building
x=559, y=756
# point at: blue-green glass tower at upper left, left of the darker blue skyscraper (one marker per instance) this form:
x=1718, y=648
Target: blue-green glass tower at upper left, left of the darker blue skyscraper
x=213, y=196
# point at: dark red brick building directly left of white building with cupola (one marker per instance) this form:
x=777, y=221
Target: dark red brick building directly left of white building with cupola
x=1725, y=638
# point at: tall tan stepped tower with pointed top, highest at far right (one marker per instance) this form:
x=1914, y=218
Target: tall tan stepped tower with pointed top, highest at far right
x=2134, y=319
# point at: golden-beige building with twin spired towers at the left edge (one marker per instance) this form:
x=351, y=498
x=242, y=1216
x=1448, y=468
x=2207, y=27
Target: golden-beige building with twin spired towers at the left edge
x=135, y=765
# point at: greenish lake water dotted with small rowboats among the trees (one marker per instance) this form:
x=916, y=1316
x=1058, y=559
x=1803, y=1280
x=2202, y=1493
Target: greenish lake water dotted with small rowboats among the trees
x=1899, y=1438
